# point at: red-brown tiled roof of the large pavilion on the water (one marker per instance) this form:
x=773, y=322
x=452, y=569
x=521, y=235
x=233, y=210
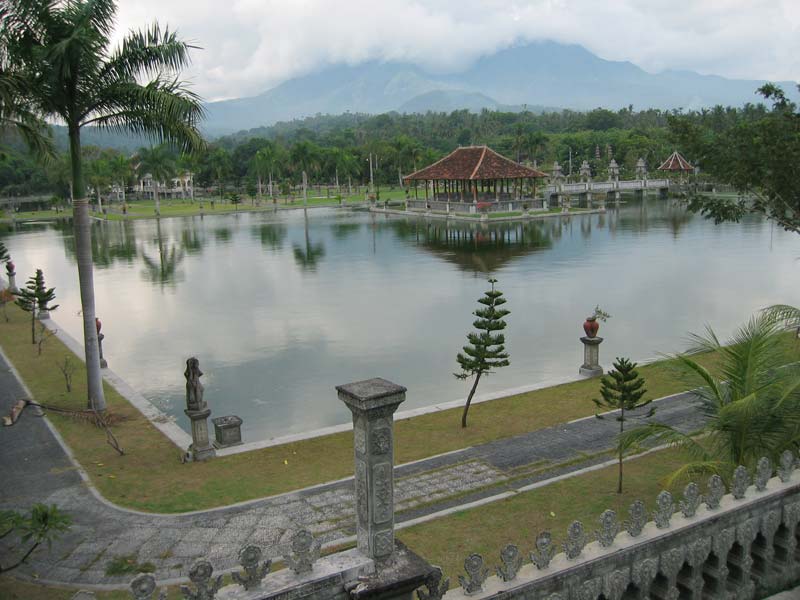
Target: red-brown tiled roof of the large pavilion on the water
x=475, y=163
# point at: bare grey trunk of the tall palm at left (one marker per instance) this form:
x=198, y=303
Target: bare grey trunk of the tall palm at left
x=83, y=251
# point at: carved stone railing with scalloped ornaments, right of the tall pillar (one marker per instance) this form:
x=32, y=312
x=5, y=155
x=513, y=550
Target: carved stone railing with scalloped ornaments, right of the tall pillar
x=727, y=546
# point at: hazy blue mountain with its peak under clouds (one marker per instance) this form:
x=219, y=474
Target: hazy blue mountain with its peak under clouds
x=535, y=74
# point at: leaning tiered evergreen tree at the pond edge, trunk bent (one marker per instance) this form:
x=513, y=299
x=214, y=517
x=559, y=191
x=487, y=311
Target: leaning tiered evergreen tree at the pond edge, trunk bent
x=486, y=350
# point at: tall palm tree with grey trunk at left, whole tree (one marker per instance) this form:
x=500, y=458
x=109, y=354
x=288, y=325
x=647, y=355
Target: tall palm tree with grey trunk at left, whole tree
x=63, y=53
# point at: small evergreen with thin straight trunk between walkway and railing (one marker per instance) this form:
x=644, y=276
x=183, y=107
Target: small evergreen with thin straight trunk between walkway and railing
x=622, y=389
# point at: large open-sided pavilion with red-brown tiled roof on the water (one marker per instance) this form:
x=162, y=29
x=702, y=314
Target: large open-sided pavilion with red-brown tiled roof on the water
x=475, y=174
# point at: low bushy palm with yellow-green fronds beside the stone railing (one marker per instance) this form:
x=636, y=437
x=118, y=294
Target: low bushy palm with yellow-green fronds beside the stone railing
x=752, y=407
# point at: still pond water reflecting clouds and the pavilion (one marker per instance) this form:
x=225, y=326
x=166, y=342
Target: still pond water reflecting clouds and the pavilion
x=280, y=308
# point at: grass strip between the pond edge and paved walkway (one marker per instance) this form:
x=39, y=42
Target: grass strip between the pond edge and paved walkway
x=150, y=476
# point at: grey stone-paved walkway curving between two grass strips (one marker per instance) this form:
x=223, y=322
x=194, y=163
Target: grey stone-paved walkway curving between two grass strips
x=35, y=468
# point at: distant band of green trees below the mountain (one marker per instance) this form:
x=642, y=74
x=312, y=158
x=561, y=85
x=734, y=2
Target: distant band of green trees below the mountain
x=328, y=148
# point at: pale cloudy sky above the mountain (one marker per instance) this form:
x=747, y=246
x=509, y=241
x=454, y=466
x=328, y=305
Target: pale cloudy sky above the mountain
x=252, y=45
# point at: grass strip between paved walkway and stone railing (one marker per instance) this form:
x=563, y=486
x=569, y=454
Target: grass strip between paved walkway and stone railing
x=518, y=520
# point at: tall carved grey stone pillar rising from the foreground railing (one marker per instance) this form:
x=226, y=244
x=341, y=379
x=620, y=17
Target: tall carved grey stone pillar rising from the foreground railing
x=373, y=402
